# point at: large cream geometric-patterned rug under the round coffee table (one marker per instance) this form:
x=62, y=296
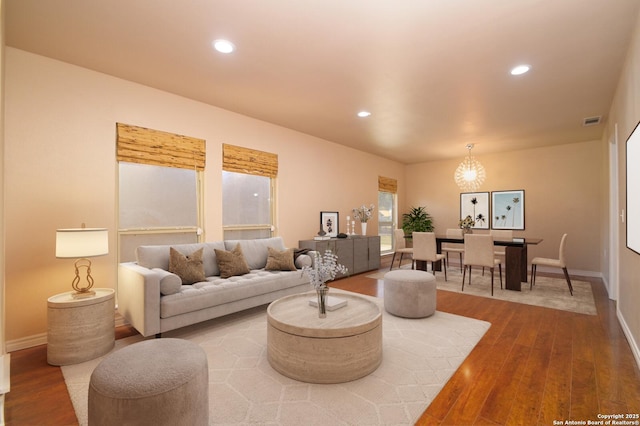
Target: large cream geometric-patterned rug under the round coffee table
x=419, y=356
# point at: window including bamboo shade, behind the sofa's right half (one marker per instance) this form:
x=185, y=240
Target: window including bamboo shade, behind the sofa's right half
x=248, y=193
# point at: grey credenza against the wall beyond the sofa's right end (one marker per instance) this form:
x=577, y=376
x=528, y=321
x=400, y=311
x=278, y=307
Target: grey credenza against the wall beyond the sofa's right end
x=357, y=253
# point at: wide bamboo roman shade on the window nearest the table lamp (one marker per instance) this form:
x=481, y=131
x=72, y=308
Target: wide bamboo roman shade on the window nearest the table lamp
x=157, y=148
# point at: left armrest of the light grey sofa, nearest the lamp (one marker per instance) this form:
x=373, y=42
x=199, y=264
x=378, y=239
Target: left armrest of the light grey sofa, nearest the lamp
x=139, y=297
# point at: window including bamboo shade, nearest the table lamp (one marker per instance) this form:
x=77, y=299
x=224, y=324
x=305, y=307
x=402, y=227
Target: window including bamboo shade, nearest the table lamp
x=159, y=188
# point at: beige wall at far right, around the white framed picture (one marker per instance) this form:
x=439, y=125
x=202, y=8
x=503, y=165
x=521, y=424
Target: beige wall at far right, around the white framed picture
x=625, y=113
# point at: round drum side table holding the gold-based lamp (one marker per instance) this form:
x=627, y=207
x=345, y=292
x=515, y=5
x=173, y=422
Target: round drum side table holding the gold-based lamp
x=80, y=329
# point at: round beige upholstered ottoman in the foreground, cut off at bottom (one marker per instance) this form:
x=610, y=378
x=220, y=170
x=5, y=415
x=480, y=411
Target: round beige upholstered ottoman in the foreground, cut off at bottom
x=158, y=382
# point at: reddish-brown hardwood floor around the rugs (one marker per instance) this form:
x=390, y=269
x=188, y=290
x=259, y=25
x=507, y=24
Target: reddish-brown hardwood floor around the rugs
x=533, y=367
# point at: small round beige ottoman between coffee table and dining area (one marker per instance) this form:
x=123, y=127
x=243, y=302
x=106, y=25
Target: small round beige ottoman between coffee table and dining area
x=410, y=293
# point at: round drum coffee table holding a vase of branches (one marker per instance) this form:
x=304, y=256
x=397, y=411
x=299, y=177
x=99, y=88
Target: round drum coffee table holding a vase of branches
x=344, y=346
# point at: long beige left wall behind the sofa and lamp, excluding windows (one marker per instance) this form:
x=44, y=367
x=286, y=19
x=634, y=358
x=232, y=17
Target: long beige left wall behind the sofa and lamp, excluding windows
x=61, y=172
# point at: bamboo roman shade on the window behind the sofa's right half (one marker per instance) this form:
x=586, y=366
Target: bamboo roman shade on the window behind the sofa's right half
x=249, y=161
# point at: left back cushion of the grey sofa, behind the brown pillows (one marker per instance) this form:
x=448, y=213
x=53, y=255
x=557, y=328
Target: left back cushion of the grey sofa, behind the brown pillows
x=158, y=256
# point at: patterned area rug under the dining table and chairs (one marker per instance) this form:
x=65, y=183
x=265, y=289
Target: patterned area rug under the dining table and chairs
x=548, y=292
